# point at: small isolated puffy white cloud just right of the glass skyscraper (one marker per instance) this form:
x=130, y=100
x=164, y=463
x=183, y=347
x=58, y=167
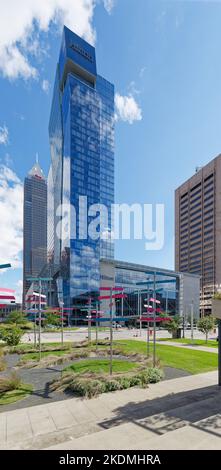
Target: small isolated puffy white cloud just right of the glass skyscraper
x=127, y=109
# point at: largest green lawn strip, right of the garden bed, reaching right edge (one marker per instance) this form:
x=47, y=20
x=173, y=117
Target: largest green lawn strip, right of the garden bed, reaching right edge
x=192, y=361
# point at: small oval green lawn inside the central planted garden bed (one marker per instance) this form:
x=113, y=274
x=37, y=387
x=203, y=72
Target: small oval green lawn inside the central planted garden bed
x=101, y=366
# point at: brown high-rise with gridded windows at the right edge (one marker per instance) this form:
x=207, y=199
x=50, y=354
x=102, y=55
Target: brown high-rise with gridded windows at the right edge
x=198, y=229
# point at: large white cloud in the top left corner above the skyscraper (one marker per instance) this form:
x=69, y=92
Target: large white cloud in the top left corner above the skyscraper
x=20, y=43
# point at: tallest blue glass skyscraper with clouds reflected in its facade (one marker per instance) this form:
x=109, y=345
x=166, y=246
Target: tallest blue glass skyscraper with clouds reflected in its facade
x=81, y=132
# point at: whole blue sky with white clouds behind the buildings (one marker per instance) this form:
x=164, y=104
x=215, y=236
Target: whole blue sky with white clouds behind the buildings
x=164, y=58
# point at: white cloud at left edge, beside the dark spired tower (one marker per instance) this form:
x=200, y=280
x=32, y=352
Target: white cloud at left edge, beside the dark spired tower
x=11, y=216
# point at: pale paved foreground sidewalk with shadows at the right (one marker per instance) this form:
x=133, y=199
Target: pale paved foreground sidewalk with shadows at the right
x=127, y=419
